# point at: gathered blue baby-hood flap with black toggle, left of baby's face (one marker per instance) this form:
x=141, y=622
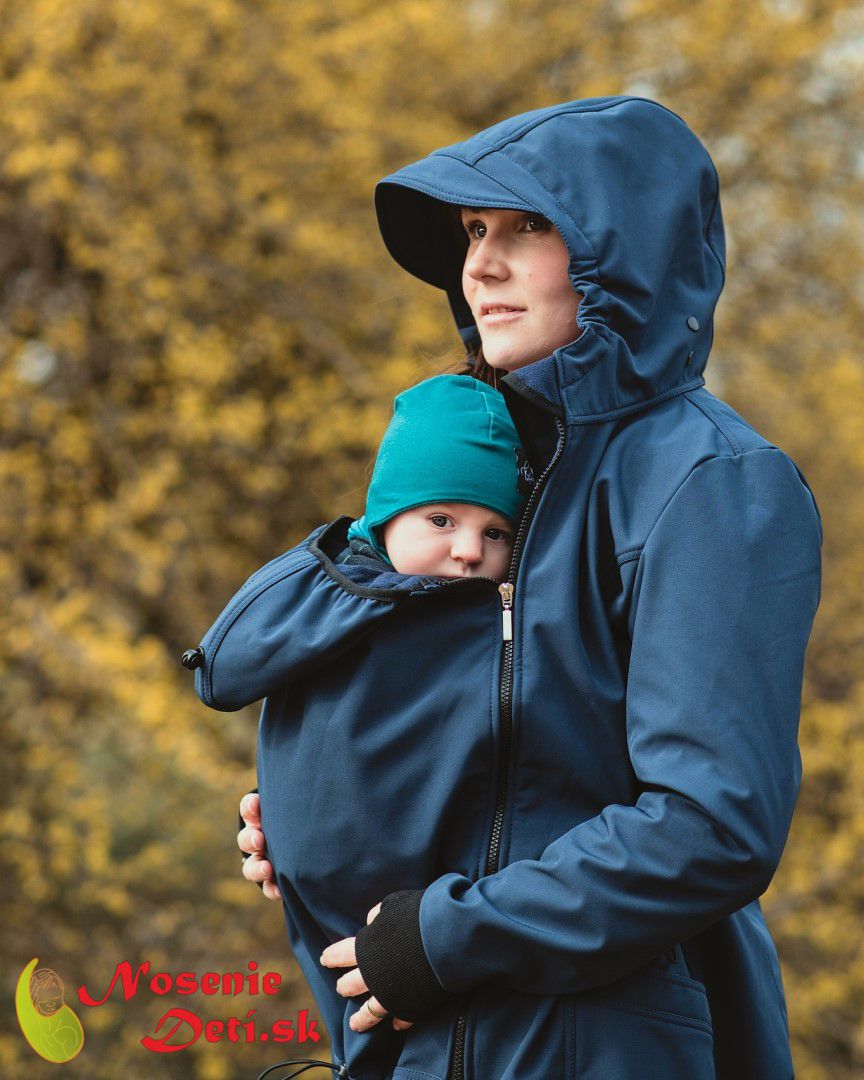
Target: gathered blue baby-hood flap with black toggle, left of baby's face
x=287, y=618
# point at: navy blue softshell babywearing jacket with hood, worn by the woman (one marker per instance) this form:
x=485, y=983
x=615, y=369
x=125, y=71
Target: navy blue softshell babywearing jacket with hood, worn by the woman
x=589, y=811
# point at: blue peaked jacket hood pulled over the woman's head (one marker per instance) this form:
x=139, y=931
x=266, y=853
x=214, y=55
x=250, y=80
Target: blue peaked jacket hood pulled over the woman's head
x=636, y=197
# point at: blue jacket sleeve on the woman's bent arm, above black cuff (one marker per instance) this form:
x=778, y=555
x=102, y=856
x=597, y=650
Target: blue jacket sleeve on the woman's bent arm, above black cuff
x=726, y=590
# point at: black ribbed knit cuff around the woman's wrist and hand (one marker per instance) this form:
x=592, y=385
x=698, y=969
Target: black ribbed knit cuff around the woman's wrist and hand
x=393, y=961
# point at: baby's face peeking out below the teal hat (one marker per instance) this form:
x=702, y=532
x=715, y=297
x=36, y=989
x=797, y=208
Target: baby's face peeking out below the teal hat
x=451, y=541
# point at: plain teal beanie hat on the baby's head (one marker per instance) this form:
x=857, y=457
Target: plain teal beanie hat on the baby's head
x=451, y=440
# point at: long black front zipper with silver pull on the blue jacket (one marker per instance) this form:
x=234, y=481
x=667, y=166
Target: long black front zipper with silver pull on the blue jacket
x=507, y=590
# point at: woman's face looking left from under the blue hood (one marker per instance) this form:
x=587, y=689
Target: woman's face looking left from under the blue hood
x=518, y=261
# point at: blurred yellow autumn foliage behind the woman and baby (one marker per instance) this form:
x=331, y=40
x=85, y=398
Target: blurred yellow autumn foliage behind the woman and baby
x=201, y=335
